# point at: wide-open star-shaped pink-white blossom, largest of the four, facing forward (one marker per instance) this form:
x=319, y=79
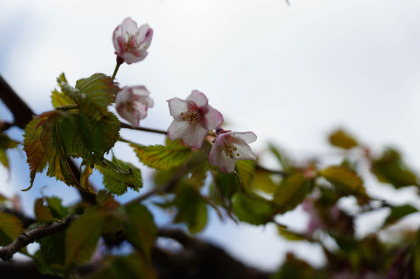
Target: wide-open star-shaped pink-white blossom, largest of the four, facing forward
x=193, y=118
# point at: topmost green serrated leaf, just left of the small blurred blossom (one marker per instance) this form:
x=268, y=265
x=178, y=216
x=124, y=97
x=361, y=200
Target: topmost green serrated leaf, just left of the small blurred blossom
x=93, y=94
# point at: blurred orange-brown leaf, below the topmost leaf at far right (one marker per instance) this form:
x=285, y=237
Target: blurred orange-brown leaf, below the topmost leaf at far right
x=344, y=179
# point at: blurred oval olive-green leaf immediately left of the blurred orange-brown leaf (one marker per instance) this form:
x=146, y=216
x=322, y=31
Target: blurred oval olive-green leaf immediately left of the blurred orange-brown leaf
x=292, y=191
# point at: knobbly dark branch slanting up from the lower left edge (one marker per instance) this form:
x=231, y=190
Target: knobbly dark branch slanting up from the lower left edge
x=7, y=252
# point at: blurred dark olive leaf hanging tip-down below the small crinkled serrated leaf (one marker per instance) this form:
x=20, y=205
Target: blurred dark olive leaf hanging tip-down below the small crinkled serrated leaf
x=141, y=228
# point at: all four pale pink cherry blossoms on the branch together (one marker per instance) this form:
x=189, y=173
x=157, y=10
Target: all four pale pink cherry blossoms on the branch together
x=193, y=118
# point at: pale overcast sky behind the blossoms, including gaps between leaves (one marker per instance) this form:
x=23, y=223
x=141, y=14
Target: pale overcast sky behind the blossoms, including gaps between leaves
x=290, y=73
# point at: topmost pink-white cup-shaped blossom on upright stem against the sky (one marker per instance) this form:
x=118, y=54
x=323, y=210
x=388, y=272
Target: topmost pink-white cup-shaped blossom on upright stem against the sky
x=131, y=43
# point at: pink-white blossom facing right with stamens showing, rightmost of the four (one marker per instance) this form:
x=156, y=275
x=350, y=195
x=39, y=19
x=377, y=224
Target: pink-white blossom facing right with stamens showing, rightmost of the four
x=229, y=147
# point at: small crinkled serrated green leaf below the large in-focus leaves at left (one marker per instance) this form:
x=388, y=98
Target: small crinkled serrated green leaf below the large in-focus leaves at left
x=118, y=176
